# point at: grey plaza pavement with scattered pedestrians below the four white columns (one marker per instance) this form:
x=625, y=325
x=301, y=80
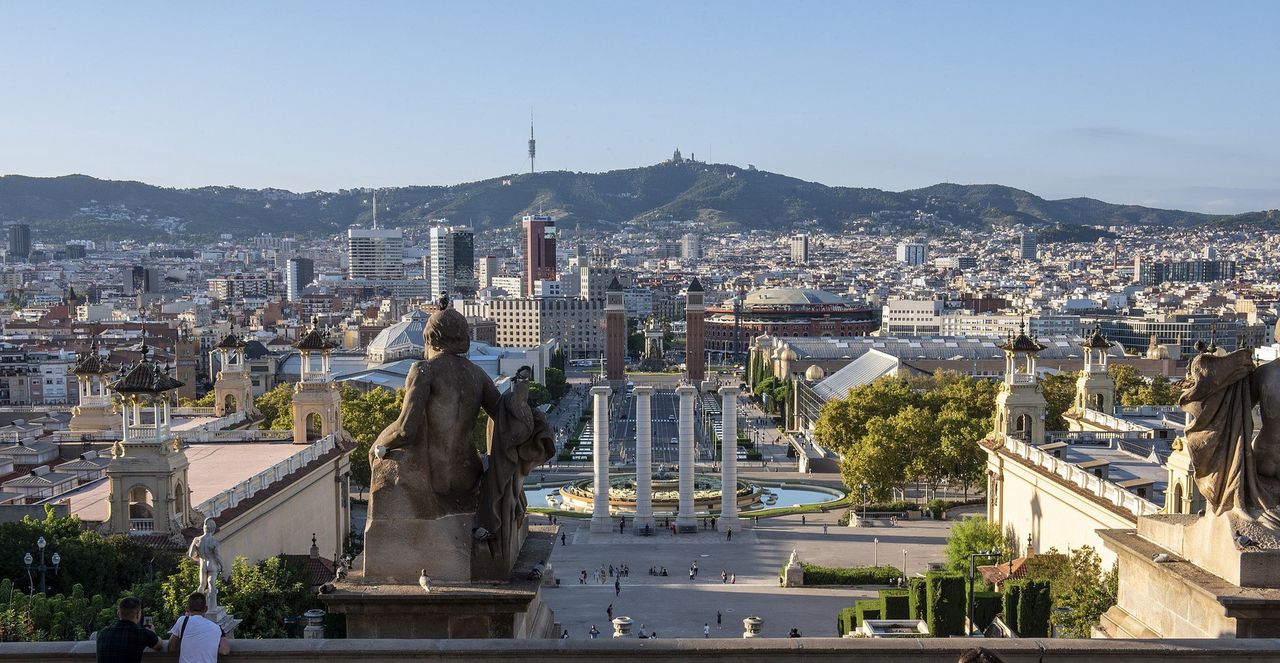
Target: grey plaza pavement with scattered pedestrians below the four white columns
x=678, y=607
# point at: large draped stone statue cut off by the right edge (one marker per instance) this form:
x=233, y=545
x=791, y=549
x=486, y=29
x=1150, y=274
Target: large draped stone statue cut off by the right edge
x=1237, y=473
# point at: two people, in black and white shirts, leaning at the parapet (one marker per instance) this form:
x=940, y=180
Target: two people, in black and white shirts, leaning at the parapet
x=194, y=638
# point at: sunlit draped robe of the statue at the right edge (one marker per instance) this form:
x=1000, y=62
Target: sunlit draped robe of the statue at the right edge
x=1219, y=438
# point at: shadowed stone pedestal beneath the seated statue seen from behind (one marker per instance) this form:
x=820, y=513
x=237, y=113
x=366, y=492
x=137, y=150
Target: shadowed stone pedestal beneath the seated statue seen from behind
x=451, y=610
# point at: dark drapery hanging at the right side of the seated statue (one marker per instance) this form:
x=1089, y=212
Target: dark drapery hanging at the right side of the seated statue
x=520, y=440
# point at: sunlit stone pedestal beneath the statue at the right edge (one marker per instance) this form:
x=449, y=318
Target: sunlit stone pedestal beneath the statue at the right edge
x=1206, y=587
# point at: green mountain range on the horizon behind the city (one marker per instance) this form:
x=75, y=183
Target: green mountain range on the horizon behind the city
x=719, y=195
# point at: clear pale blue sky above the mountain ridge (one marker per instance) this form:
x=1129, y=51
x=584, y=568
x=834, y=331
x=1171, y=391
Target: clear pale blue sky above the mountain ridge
x=1156, y=103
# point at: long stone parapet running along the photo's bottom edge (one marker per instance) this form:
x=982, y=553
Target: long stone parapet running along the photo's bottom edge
x=673, y=651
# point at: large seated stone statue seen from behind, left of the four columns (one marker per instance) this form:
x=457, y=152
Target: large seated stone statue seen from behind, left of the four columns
x=433, y=504
